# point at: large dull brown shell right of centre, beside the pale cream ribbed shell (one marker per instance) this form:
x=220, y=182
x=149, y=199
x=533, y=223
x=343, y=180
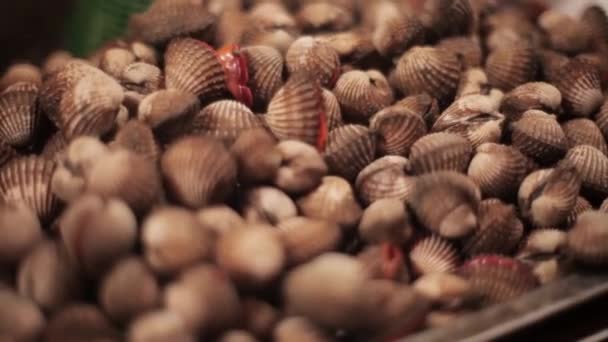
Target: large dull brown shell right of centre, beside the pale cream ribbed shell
x=446, y=203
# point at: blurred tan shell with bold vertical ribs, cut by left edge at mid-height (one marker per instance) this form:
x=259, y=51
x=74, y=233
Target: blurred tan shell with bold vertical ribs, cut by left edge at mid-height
x=27, y=180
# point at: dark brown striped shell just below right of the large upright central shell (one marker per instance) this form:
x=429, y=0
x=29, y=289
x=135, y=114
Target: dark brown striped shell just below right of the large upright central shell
x=350, y=148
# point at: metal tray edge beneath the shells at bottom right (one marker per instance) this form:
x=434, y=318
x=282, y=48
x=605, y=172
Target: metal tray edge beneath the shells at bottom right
x=502, y=320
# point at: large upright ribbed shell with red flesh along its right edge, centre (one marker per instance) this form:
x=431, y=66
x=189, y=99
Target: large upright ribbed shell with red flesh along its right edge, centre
x=295, y=110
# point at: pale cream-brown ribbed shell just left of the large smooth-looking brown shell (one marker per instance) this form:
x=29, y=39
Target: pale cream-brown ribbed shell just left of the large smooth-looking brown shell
x=385, y=178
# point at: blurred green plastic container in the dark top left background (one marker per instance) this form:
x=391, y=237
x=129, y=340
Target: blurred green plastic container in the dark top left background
x=97, y=21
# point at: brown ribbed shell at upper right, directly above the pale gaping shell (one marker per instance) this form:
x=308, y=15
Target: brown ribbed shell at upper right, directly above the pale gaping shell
x=512, y=65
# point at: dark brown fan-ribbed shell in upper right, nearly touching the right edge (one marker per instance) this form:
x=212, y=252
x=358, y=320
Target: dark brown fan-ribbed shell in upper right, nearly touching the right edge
x=579, y=83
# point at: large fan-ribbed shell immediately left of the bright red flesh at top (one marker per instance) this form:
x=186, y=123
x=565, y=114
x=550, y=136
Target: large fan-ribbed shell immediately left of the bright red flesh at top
x=192, y=66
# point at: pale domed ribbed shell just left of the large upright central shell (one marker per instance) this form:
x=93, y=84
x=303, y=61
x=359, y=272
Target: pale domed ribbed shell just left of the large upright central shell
x=225, y=120
